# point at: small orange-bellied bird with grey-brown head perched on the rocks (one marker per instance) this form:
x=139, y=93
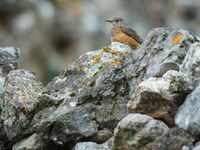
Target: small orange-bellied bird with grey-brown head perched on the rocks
x=122, y=32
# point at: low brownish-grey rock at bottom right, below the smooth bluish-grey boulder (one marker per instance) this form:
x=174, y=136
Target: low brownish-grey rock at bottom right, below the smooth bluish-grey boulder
x=174, y=139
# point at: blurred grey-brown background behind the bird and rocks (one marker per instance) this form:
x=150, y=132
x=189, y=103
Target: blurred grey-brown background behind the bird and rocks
x=53, y=33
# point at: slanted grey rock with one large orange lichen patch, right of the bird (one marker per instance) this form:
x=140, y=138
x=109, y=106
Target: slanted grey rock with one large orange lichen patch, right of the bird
x=163, y=49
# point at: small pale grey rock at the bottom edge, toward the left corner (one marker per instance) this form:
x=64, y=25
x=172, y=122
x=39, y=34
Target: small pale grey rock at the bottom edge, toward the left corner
x=33, y=142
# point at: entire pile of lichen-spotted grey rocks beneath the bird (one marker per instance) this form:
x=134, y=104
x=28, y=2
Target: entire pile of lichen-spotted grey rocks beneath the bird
x=111, y=98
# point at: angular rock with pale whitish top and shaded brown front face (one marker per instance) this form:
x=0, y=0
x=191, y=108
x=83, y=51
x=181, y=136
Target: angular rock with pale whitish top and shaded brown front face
x=154, y=98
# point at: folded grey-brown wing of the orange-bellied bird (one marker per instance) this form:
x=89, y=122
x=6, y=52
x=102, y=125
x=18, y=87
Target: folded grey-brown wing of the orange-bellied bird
x=132, y=33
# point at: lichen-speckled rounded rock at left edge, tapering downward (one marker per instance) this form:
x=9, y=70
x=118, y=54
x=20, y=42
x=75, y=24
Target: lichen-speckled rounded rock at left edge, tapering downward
x=19, y=102
